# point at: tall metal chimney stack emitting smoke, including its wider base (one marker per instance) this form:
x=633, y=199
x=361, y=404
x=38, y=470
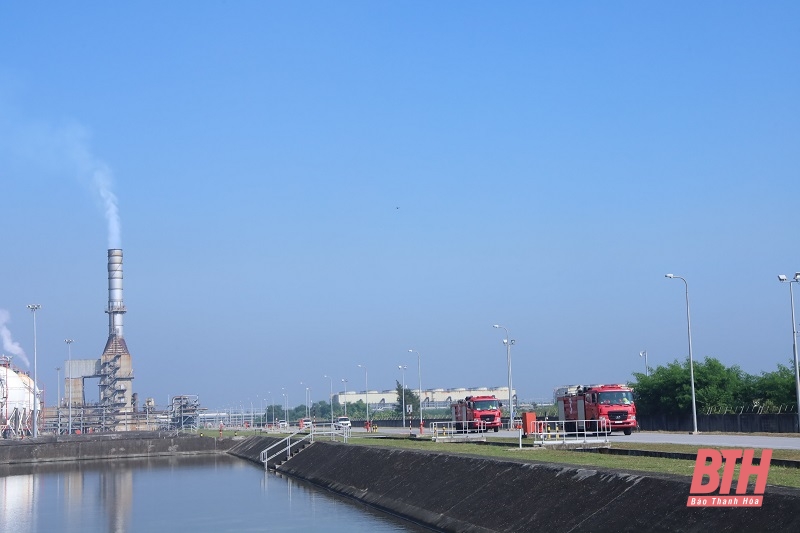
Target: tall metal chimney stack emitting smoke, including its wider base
x=116, y=372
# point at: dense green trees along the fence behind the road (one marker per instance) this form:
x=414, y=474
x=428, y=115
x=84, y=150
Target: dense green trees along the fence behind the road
x=667, y=390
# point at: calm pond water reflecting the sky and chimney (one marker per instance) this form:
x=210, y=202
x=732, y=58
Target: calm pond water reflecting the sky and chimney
x=191, y=494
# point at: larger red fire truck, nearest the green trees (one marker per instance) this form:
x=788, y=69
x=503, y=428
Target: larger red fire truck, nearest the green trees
x=597, y=408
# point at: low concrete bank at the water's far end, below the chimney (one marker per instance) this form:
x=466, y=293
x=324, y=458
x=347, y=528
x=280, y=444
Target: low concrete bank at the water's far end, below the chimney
x=108, y=446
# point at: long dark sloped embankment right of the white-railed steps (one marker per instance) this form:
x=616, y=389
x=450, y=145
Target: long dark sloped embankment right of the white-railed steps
x=471, y=494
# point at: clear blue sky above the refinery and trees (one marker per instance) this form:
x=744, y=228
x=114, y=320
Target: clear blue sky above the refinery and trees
x=307, y=187
